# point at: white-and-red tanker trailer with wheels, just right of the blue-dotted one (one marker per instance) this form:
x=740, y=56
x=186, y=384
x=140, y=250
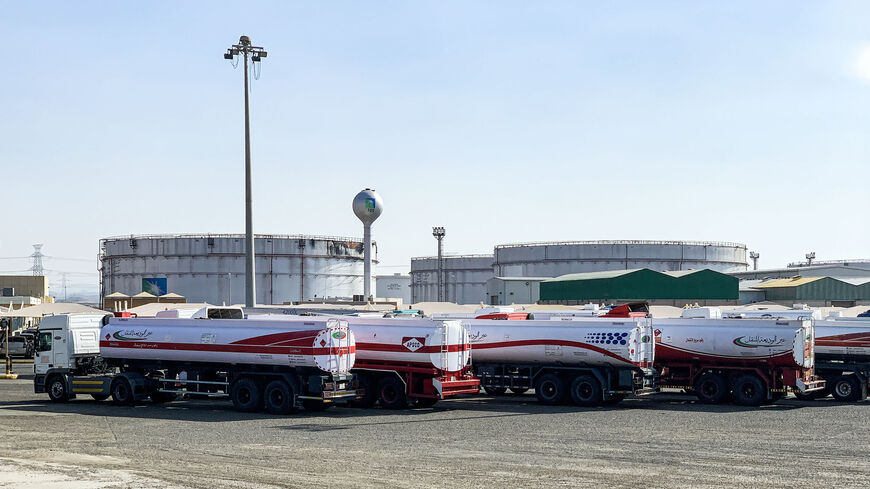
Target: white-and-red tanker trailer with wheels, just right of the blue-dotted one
x=753, y=361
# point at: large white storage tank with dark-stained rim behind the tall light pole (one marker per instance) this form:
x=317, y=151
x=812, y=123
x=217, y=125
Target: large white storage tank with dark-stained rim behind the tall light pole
x=211, y=267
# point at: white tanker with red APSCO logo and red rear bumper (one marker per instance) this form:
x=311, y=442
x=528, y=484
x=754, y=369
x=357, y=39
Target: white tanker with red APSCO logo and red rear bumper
x=407, y=362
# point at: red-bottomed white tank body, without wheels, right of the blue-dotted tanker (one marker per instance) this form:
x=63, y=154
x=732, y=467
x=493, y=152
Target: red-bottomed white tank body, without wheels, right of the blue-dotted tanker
x=734, y=341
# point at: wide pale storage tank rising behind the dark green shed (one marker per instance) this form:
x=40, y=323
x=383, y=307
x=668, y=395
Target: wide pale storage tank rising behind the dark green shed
x=552, y=259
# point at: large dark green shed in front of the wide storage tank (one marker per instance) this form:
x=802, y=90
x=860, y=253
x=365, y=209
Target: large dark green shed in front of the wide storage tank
x=671, y=288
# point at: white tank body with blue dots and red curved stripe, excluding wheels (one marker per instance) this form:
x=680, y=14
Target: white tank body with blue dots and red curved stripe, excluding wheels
x=574, y=342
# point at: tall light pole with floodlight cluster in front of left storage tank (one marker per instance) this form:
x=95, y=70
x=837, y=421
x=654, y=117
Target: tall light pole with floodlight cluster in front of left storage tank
x=245, y=48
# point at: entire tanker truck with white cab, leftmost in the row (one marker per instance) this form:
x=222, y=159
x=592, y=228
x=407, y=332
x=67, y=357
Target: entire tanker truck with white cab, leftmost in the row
x=260, y=365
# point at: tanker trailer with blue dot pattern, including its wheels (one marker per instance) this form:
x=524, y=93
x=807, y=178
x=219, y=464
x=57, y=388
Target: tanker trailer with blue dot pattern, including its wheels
x=591, y=362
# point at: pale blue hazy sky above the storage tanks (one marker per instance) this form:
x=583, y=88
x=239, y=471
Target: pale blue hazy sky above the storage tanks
x=501, y=121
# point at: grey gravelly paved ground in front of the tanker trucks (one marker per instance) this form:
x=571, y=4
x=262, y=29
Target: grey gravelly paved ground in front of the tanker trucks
x=511, y=441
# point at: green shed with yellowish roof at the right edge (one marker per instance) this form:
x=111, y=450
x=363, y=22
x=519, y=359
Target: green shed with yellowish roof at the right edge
x=817, y=291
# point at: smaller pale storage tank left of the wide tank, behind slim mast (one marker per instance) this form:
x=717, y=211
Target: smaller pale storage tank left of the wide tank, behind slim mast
x=465, y=278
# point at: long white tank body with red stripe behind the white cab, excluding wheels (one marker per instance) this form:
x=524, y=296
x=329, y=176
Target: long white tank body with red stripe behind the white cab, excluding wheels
x=323, y=343
